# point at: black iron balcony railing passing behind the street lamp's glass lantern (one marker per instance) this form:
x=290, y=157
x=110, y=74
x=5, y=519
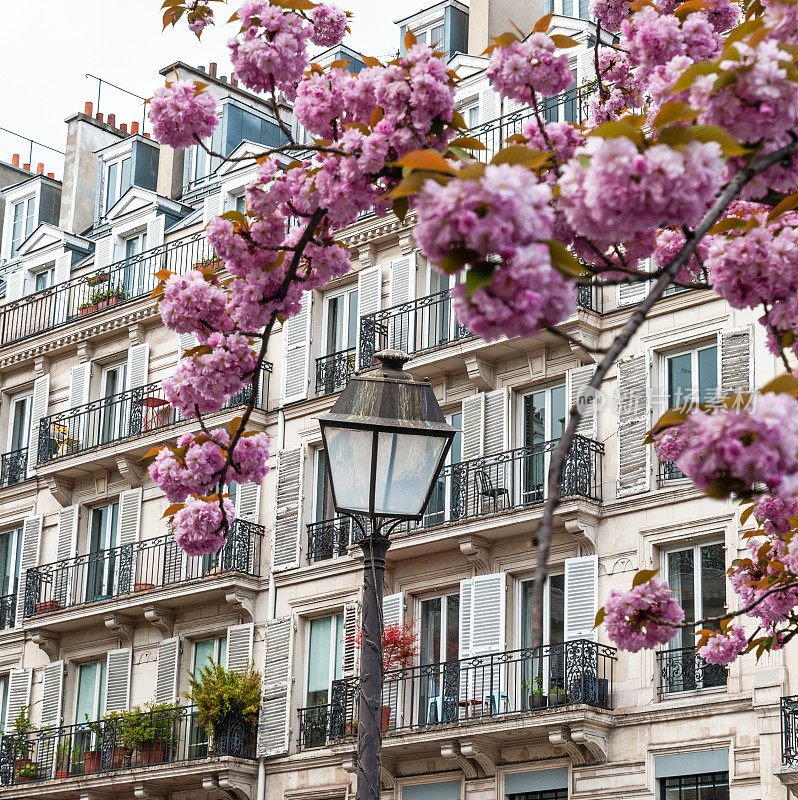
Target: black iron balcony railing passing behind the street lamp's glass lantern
x=483, y=486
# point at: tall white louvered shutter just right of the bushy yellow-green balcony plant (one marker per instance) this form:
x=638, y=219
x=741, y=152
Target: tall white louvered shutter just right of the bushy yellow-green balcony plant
x=273, y=720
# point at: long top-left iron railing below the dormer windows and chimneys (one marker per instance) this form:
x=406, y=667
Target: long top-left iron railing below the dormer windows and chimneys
x=90, y=294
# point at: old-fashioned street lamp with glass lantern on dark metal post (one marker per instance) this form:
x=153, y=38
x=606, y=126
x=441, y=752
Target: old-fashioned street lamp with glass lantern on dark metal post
x=386, y=440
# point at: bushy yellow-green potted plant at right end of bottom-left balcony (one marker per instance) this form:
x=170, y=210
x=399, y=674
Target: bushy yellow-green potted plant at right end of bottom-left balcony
x=227, y=702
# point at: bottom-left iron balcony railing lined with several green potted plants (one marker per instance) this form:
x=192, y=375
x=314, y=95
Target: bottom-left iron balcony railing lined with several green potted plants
x=164, y=736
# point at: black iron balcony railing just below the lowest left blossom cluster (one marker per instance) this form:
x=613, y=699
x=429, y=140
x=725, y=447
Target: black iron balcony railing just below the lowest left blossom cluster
x=136, y=569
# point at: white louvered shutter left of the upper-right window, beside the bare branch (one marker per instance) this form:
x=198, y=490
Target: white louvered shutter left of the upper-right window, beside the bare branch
x=633, y=409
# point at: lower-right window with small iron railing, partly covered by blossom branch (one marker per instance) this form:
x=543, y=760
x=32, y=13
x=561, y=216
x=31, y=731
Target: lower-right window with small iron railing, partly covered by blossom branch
x=696, y=578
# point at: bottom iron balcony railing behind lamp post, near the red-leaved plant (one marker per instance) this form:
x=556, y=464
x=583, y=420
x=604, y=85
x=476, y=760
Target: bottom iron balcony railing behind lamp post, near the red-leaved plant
x=482, y=688
